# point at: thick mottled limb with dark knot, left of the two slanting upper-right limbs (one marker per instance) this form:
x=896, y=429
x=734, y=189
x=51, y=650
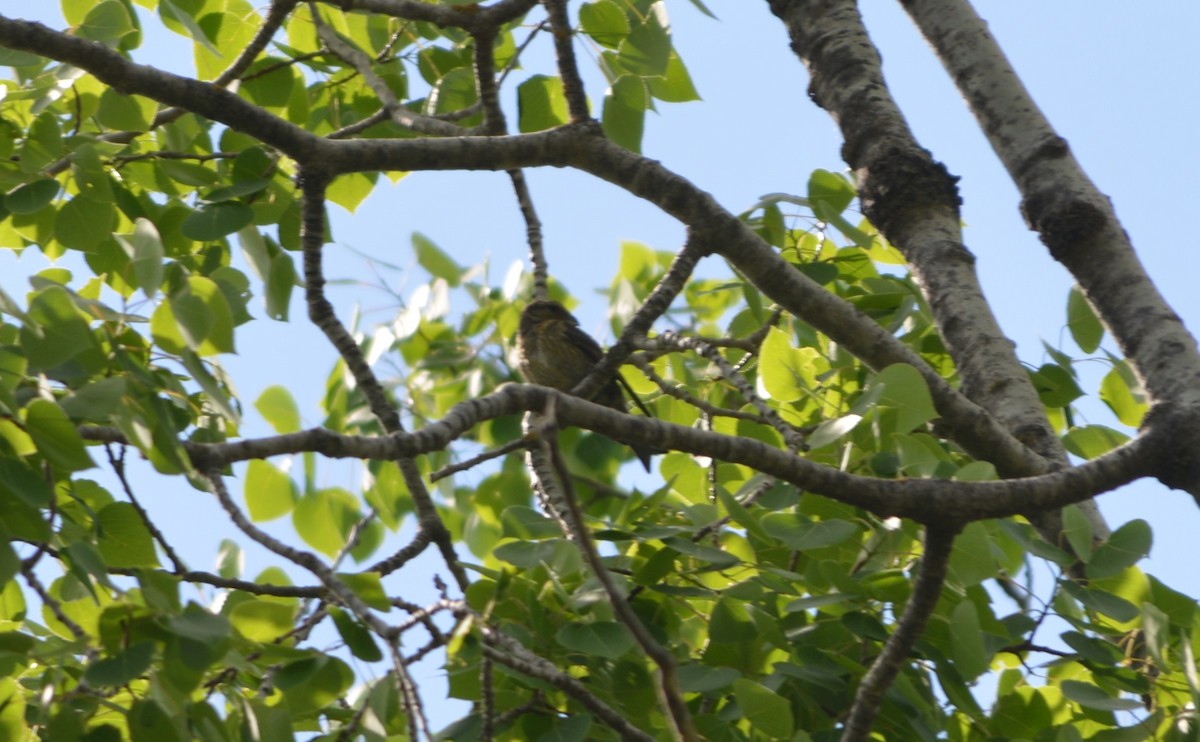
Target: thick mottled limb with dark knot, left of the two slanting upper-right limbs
x=915, y=204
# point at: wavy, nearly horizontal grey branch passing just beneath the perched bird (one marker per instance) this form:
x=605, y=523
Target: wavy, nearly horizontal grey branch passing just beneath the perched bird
x=928, y=501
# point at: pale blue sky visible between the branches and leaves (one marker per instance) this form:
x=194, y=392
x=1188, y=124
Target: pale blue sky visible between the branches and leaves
x=1114, y=79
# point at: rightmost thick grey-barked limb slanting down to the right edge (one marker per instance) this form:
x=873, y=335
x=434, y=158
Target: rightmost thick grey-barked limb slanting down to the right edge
x=1077, y=224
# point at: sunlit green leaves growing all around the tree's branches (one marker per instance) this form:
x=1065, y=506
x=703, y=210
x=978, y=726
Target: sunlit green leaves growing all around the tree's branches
x=773, y=601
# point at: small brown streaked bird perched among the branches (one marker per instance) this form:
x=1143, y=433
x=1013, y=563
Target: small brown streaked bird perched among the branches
x=555, y=352
